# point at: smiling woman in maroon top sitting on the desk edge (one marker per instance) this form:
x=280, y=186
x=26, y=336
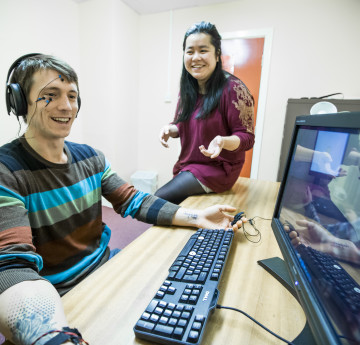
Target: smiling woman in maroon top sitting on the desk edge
x=214, y=120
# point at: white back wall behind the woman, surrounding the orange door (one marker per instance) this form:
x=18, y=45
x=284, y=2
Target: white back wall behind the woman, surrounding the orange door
x=315, y=52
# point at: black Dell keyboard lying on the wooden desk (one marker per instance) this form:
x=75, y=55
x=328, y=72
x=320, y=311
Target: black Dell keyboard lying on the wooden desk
x=181, y=307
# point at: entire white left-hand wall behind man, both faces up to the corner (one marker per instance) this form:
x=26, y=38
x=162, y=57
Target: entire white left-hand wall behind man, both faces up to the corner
x=103, y=35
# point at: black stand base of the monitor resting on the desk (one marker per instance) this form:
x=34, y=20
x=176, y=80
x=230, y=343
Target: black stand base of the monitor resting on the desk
x=277, y=268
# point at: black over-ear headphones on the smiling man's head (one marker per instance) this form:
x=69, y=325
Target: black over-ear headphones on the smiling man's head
x=15, y=97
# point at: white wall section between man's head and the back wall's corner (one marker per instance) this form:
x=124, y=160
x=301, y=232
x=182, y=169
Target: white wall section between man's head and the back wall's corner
x=109, y=84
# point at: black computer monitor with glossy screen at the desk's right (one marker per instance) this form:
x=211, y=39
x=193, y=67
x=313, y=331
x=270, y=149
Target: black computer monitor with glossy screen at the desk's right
x=318, y=208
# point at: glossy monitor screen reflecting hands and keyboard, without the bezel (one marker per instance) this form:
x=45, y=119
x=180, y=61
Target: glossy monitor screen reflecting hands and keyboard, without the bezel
x=321, y=211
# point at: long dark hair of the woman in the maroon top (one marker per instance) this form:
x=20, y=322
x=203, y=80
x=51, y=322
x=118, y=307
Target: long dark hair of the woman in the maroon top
x=189, y=86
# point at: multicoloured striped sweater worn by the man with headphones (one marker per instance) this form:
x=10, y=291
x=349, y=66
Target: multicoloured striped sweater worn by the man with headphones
x=50, y=214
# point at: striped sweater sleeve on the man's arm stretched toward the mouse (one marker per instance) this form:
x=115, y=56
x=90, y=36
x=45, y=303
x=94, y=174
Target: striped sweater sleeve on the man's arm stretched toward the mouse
x=126, y=200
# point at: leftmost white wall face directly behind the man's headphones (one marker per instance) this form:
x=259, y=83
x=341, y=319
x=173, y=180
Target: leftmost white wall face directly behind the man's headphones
x=35, y=26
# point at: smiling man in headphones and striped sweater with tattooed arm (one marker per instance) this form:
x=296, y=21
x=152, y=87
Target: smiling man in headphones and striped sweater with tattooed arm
x=51, y=230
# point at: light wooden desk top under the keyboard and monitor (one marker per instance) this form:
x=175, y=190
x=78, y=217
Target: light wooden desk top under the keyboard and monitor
x=106, y=305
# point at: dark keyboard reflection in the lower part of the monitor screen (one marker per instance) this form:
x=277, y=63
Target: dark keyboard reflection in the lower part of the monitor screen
x=337, y=287
